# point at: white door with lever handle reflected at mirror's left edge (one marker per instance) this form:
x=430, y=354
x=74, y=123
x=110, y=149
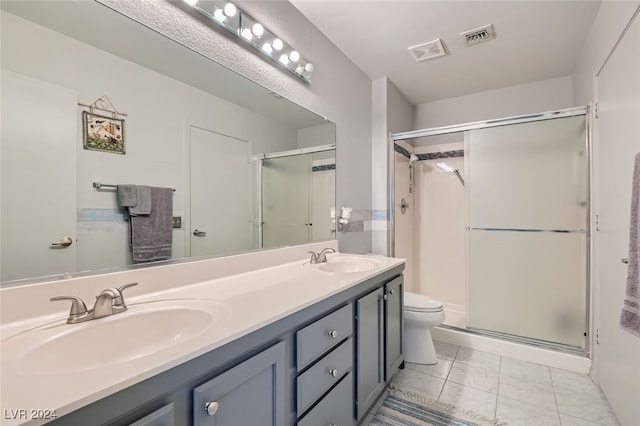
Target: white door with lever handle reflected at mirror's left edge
x=39, y=122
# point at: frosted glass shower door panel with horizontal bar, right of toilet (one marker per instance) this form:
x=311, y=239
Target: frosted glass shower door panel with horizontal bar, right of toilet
x=527, y=230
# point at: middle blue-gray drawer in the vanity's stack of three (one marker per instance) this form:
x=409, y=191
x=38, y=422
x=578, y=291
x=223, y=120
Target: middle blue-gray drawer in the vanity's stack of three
x=325, y=373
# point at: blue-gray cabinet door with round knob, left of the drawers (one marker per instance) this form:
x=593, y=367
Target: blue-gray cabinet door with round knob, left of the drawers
x=252, y=393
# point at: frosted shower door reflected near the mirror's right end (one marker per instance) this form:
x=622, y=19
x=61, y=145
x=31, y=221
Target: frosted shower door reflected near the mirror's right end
x=285, y=200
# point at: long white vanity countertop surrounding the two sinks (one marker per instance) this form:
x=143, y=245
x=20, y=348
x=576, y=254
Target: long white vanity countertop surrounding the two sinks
x=251, y=301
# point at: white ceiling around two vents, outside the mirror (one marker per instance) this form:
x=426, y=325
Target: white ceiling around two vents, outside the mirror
x=535, y=40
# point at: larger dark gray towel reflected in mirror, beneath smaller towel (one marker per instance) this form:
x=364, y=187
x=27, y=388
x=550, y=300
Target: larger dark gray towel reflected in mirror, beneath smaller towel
x=151, y=235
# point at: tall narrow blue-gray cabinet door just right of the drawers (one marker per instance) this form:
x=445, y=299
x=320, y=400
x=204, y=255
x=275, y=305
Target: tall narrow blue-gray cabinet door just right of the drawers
x=370, y=349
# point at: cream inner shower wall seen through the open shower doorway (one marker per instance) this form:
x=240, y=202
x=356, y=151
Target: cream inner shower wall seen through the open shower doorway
x=430, y=234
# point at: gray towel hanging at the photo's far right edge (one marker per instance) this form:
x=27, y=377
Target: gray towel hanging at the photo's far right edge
x=630, y=316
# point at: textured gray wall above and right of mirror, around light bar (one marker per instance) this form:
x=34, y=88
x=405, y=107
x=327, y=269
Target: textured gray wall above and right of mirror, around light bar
x=345, y=100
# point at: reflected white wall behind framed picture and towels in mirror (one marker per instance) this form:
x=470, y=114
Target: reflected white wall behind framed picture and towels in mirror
x=159, y=110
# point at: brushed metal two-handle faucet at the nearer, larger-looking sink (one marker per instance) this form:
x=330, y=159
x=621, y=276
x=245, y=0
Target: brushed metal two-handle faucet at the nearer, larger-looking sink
x=109, y=302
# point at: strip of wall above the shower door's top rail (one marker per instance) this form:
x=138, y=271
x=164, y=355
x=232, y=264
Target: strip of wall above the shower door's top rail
x=527, y=98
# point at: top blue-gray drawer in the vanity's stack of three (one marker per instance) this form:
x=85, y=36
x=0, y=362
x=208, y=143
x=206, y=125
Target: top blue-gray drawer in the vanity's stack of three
x=315, y=339
